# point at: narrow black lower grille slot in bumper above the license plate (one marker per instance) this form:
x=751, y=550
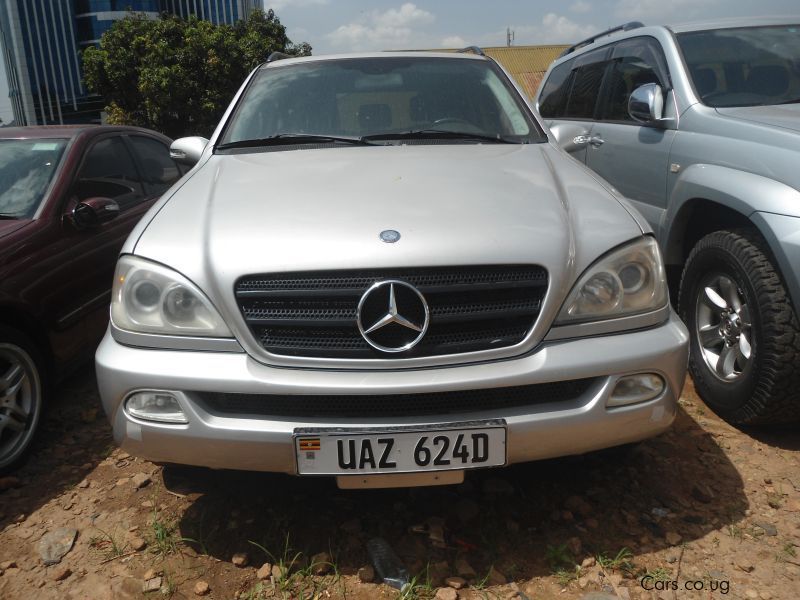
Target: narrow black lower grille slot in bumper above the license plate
x=395, y=405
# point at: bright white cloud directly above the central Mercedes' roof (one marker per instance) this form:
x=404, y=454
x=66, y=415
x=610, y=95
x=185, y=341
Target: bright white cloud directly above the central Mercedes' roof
x=390, y=29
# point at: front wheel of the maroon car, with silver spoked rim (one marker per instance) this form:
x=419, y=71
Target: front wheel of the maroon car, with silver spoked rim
x=21, y=396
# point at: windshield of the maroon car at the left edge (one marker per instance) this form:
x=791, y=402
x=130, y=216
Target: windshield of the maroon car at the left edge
x=26, y=168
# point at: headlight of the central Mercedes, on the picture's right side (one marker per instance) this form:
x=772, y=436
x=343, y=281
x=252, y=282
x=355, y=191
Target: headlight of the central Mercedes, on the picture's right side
x=627, y=281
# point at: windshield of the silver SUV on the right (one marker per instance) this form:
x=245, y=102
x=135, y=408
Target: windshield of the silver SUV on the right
x=748, y=66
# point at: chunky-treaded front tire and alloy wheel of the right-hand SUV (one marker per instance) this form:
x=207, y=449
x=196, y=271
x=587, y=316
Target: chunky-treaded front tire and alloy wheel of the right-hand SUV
x=745, y=339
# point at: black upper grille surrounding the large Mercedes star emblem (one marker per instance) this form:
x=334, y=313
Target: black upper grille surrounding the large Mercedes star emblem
x=314, y=313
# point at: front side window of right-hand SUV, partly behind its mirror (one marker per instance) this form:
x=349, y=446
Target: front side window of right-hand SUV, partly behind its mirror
x=634, y=63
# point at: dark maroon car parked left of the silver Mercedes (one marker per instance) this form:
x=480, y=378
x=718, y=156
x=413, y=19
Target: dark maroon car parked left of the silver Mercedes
x=69, y=196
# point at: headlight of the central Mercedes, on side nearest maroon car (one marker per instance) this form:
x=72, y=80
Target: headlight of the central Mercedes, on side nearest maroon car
x=149, y=298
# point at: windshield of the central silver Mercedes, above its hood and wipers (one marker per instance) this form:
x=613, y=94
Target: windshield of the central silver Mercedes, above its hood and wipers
x=360, y=97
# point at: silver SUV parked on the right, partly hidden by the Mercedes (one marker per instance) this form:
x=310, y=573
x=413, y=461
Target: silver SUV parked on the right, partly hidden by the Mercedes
x=699, y=126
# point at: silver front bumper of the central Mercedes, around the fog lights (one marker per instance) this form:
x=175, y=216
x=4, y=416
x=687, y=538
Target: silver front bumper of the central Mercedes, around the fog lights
x=266, y=443
